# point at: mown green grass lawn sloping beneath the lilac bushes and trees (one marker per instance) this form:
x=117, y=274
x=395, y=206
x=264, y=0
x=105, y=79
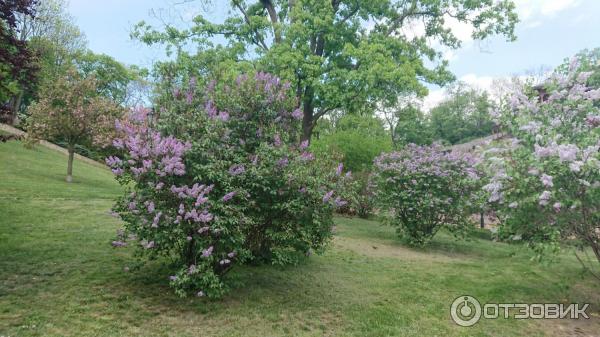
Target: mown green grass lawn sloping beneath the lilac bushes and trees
x=59, y=276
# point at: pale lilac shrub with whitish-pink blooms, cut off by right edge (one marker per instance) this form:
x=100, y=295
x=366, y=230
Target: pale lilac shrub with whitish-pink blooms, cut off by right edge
x=547, y=182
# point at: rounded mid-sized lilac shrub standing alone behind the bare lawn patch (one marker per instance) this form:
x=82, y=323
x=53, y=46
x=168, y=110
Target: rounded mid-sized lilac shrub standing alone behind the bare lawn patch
x=424, y=188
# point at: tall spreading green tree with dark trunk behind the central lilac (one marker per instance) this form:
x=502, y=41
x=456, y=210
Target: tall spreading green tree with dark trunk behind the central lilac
x=344, y=54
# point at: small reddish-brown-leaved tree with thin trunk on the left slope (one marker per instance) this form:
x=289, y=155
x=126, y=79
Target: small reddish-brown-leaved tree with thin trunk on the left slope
x=71, y=110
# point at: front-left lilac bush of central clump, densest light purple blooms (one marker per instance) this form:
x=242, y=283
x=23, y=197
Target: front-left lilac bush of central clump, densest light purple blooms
x=167, y=212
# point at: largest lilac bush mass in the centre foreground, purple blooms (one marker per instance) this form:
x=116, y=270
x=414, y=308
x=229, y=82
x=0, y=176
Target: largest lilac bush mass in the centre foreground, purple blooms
x=235, y=186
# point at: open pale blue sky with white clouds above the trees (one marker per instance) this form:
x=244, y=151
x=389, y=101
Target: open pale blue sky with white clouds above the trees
x=549, y=32
